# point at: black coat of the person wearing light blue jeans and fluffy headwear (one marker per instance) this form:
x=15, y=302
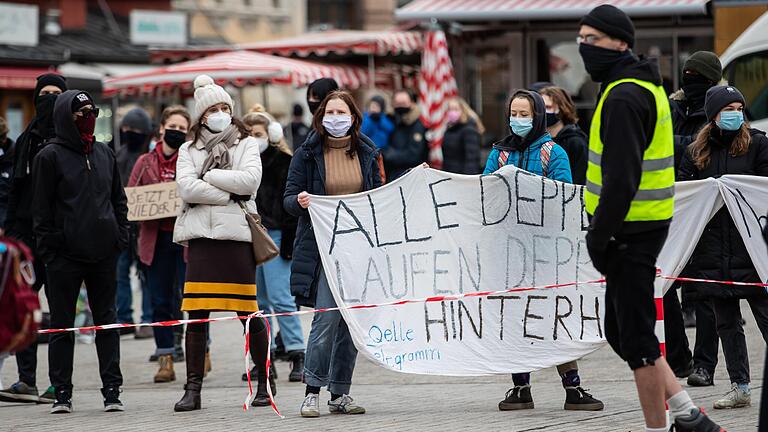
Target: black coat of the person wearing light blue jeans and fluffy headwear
x=269, y=199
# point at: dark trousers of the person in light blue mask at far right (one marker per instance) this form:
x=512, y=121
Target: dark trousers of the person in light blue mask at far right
x=731, y=332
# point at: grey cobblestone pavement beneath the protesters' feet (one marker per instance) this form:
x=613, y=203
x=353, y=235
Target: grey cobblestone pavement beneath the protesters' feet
x=395, y=402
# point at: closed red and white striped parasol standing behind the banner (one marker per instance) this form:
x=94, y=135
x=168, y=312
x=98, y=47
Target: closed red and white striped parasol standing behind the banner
x=436, y=86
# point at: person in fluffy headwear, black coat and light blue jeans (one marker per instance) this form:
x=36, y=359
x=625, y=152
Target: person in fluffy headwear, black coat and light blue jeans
x=274, y=277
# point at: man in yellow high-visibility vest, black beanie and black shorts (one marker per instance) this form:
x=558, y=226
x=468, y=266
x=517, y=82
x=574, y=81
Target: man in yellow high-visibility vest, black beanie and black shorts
x=629, y=198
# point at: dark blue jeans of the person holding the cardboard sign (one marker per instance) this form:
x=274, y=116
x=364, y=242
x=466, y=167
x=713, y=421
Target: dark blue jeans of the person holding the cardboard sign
x=165, y=278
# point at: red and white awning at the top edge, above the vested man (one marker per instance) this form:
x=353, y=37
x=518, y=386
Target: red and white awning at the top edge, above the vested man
x=494, y=10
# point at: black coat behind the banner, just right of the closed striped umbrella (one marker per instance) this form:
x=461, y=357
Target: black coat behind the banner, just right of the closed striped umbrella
x=461, y=149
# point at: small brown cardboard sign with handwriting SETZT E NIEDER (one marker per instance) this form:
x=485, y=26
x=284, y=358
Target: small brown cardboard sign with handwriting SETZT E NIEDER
x=157, y=201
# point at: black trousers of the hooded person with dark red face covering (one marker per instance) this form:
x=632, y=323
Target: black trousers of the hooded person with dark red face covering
x=65, y=278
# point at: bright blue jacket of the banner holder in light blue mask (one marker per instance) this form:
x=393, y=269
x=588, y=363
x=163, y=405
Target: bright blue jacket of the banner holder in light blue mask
x=530, y=159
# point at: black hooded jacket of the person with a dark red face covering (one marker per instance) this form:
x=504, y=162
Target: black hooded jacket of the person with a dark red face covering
x=79, y=206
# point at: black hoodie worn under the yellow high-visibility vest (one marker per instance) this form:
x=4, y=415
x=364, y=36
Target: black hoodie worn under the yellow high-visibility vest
x=627, y=126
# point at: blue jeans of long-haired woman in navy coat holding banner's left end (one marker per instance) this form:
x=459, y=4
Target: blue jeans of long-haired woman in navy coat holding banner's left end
x=331, y=354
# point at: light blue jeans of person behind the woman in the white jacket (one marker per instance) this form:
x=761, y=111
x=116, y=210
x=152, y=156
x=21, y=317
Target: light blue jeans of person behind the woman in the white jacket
x=273, y=292
